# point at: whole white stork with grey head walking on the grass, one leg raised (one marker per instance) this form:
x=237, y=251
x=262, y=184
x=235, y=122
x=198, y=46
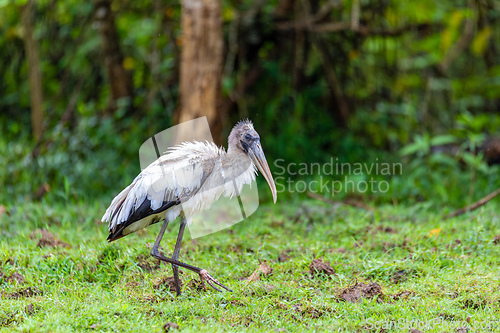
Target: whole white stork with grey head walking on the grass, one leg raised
x=186, y=180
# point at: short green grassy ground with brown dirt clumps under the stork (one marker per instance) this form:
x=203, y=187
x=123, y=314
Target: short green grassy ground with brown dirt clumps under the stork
x=439, y=274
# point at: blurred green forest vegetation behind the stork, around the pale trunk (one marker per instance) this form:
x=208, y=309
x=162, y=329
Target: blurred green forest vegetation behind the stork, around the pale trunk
x=83, y=84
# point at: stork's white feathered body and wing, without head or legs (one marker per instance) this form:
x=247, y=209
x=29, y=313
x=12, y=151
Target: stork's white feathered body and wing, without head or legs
x=194, y=173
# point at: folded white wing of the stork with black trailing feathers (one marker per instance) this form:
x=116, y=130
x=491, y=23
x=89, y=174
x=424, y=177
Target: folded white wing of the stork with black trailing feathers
x=169, y=181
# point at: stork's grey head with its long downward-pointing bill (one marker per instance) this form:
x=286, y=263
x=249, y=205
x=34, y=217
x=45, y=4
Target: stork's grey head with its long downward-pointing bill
x=244, y=139
